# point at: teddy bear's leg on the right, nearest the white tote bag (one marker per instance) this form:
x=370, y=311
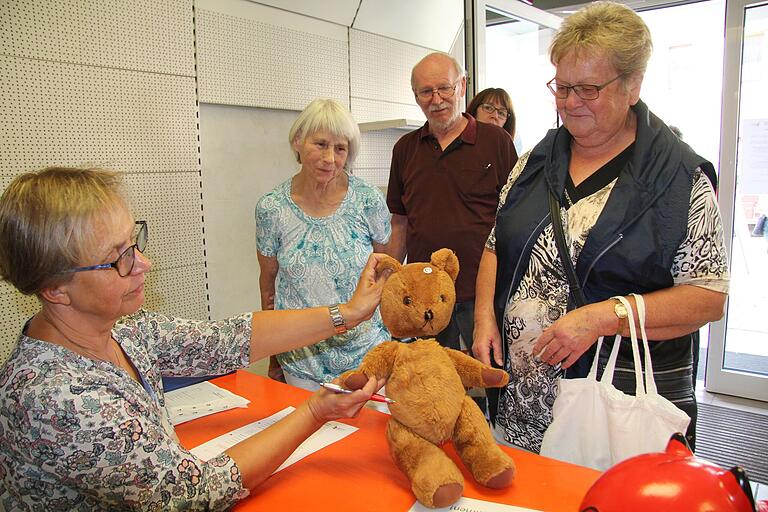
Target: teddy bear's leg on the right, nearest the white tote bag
x=472, y=438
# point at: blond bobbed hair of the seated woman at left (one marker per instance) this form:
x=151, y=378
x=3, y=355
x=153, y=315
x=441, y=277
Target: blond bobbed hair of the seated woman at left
x=48, y=222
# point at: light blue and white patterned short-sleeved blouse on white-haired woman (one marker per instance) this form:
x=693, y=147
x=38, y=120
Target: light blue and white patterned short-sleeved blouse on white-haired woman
x=319, y=262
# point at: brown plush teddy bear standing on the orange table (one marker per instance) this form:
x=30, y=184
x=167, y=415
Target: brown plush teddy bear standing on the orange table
x=428, y=384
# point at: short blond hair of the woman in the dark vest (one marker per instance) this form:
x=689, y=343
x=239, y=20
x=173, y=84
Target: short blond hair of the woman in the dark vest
x=607, y=28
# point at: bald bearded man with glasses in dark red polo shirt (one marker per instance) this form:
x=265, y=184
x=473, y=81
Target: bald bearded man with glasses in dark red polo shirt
x=444, y=183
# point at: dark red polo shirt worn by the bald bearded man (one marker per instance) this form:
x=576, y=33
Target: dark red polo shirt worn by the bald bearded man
x=450, y=197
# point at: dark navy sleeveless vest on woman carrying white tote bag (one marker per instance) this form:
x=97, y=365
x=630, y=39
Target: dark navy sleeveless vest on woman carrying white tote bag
x=632, y=246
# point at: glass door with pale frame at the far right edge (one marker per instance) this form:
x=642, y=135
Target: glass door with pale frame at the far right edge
x=737, y=362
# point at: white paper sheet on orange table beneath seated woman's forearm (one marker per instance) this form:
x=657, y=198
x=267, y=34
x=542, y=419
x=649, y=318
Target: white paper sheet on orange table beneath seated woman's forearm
x=329, y=433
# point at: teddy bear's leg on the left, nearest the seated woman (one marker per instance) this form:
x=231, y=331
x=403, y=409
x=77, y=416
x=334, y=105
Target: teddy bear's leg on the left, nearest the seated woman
x=435, y=480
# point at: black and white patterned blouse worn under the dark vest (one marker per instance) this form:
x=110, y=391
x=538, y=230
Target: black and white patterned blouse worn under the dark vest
x=525, y=405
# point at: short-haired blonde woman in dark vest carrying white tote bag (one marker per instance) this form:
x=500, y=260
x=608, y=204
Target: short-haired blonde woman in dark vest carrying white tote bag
x=639, y=216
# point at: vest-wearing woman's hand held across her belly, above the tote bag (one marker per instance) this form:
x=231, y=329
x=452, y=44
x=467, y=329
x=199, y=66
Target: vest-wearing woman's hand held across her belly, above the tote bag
x=570, y=336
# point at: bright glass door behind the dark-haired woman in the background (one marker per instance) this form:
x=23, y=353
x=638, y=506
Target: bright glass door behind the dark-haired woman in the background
x=510, y=50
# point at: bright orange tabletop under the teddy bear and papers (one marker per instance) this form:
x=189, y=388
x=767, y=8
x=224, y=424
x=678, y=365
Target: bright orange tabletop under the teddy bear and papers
x=357, y=472
